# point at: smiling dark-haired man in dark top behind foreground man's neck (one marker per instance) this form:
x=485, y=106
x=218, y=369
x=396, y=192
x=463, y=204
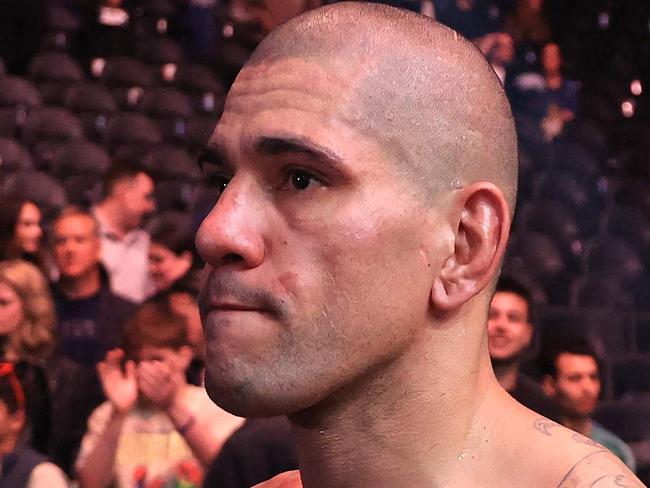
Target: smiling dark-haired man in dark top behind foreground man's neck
x=510, y=333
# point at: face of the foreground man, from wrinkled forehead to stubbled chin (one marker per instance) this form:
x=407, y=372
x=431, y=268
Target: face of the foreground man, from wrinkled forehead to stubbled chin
x=317, y=265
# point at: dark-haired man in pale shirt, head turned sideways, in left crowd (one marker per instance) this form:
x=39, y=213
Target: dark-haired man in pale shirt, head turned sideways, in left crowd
x=129, y=197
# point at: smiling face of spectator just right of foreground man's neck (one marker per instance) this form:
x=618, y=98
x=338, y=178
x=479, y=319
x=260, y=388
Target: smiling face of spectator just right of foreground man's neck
x=509, y=331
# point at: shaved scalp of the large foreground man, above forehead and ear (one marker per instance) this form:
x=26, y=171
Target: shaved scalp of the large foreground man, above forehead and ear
x=424, y=93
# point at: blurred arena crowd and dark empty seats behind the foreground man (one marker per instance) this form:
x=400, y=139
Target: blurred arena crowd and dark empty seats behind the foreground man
x=104, y=107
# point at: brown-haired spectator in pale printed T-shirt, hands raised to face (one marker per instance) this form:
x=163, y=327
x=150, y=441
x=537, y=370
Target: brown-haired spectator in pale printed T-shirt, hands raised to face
x=150, y=405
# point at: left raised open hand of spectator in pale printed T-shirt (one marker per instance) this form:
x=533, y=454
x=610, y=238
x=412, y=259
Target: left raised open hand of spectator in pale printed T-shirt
x=120, y=386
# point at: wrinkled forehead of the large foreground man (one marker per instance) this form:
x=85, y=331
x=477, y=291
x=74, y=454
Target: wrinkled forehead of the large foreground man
x=291, y=99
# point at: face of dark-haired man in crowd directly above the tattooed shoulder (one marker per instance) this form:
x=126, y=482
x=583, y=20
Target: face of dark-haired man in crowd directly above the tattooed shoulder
x=577, y=385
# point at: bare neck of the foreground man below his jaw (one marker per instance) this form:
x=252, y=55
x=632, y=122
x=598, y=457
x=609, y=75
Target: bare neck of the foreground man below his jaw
x=412, y=423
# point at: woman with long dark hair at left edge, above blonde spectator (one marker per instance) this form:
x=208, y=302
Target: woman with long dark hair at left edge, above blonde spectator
x=20, y=231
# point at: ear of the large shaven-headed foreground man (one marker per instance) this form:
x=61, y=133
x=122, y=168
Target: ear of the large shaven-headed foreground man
x=482, y=222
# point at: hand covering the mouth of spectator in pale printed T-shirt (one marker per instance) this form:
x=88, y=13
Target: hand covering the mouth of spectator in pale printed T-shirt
x=158, y=383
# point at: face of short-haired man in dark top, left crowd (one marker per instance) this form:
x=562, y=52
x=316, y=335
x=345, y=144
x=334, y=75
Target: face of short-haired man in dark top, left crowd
x=75, y=245
